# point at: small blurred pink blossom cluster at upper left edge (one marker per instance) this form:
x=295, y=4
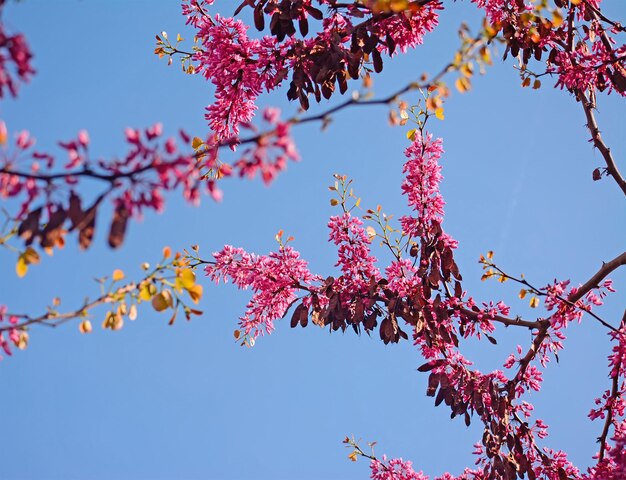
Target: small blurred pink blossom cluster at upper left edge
x=15, y=61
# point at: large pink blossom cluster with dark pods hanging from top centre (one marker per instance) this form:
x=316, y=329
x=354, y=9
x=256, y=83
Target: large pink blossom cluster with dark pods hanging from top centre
x=241, y=67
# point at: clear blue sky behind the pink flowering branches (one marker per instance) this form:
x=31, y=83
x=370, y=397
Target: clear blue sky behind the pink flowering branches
x=186, y=402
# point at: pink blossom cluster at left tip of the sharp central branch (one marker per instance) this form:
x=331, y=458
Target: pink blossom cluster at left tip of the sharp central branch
x=273, y=278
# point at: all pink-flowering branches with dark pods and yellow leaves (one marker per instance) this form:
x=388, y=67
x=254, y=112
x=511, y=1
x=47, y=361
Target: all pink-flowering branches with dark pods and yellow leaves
x=314, y=49
